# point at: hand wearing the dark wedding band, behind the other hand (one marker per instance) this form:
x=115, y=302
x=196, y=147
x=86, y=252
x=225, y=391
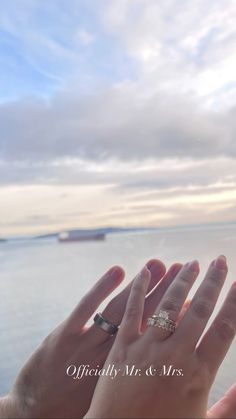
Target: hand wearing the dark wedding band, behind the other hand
x=42, y=388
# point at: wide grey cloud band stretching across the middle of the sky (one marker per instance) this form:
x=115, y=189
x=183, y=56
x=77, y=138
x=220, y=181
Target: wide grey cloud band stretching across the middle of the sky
x=116, y=123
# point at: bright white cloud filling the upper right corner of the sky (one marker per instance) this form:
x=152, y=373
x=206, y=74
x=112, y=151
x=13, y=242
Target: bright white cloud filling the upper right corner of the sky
x=180, y=46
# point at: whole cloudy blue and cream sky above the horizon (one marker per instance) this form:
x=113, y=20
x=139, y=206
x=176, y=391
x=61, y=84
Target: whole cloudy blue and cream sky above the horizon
x=116, y=112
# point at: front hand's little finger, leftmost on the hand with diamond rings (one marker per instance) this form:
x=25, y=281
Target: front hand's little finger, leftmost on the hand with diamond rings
x=131, y=324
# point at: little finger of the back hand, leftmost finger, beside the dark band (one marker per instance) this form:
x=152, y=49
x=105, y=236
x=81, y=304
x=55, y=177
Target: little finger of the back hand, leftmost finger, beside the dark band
x=90, y=302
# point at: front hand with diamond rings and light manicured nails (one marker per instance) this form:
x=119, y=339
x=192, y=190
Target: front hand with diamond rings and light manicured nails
x=192, y=366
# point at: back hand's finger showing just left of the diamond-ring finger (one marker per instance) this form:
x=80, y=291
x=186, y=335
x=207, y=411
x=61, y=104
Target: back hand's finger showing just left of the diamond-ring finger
x=154, y=298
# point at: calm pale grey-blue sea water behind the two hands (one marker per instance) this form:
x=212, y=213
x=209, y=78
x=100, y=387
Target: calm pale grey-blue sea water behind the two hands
x=41, y=282
